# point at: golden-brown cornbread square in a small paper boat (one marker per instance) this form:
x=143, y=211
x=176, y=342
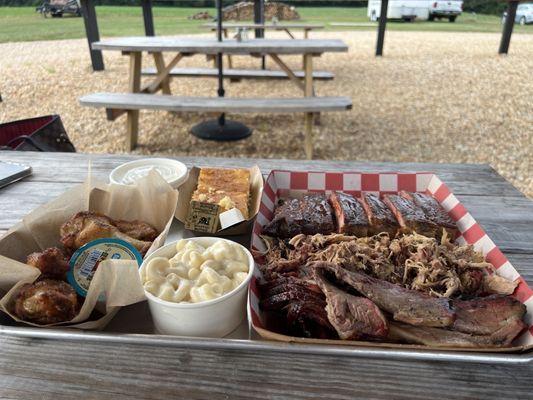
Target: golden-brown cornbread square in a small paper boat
x=229, y=188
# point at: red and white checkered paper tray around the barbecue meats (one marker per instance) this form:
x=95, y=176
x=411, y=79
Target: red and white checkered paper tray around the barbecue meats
x=283, y=184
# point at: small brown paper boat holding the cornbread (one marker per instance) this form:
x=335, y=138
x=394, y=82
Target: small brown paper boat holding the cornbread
x=244, y=227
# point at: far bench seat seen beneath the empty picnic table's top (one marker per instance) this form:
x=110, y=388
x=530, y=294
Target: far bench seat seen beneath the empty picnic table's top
x=238, y=73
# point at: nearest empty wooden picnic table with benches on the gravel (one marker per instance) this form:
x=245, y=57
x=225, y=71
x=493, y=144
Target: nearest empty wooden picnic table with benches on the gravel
x=184, y=47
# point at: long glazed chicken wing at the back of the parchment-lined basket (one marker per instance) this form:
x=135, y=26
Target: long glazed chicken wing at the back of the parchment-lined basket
x=87, y=226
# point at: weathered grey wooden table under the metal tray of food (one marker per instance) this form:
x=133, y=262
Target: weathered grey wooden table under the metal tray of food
x=92, y=369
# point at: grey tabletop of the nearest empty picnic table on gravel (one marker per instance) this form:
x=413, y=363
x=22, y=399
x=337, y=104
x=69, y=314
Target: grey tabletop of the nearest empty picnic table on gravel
x=229, y=46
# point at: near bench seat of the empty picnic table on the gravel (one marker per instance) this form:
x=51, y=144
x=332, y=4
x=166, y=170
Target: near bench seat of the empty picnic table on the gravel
x=141, y=101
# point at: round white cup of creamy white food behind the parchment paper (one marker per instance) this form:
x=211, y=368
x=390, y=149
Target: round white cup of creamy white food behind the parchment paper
x=164, y=166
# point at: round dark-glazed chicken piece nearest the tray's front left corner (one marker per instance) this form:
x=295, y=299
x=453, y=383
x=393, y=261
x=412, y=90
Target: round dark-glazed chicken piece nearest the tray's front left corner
x=46, y=302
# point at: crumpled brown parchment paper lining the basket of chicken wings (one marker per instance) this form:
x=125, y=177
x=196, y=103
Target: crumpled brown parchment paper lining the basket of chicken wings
x=153, y=200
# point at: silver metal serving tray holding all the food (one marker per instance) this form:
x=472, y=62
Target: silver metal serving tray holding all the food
x=133, y=325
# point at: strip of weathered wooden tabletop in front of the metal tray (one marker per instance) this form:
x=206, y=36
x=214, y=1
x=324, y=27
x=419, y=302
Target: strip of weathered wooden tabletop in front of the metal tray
x=62, y=369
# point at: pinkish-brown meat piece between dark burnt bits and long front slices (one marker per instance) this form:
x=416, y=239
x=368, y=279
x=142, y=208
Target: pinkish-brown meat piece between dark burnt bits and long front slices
x=352, y=317
